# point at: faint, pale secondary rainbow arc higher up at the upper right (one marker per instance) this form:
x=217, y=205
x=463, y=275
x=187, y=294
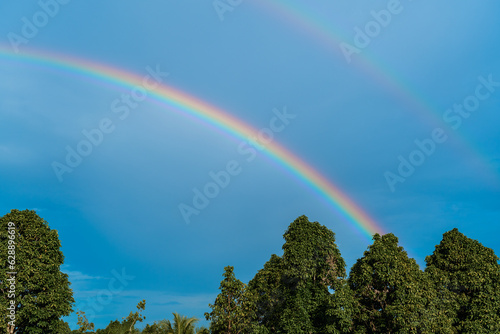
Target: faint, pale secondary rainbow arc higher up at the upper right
x=331, y=37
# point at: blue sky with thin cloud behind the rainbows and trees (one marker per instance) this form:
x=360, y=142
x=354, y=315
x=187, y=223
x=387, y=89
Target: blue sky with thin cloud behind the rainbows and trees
x=117, y=213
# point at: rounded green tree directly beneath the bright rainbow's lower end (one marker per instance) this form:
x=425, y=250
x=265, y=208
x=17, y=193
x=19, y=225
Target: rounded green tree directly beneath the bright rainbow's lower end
x=393, y=295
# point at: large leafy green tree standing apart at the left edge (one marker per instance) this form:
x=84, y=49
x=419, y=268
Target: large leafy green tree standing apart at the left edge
x=42, y=291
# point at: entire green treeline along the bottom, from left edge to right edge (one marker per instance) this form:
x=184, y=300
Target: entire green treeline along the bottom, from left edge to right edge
x=304, y=290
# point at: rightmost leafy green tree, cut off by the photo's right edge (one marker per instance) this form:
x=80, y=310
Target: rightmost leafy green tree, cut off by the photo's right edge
x=467, y=277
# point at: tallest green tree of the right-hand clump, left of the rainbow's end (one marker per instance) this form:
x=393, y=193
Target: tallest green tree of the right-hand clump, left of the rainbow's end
x=293, y=291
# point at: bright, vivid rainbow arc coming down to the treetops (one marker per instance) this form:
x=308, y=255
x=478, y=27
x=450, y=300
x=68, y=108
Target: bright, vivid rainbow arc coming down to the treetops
x=190, y=106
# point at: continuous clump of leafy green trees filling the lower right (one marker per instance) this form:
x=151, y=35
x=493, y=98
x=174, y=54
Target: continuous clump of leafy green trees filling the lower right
x=306, y=290
